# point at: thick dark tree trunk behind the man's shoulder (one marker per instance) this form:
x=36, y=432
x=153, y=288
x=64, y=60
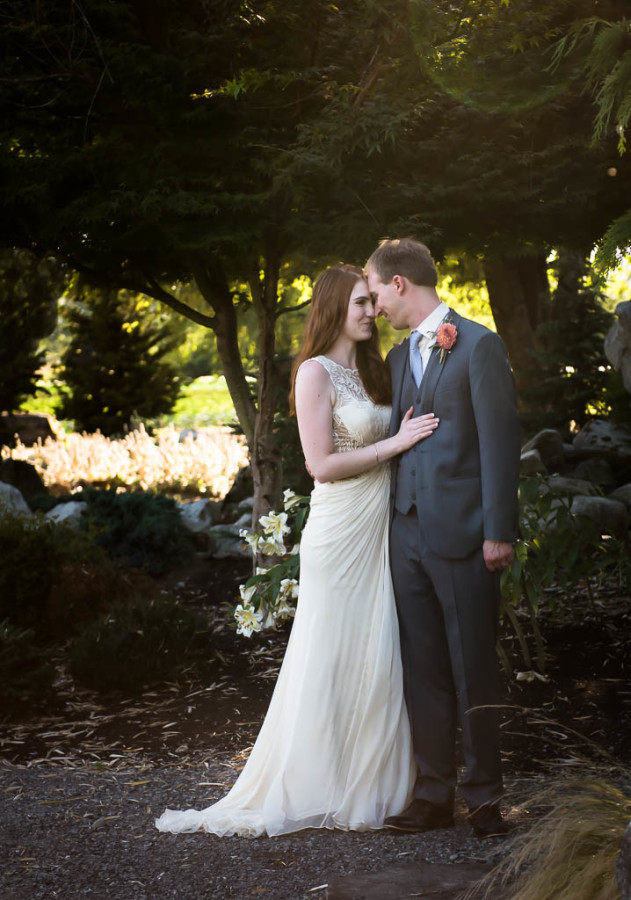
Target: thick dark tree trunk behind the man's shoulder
x=519, y=297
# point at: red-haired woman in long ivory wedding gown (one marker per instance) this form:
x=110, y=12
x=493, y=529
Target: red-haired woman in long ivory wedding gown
x=334, y=750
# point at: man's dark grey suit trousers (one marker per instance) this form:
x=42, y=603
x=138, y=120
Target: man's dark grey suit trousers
x=448, y=619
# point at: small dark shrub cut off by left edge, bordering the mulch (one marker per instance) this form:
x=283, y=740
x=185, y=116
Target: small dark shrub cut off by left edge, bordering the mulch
x=26, y=670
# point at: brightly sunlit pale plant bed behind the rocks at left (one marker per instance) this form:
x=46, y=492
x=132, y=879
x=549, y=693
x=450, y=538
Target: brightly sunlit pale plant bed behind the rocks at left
x=204, y=462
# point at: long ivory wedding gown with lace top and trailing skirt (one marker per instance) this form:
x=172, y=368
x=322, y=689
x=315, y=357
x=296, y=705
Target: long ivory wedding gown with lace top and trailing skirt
x=334, y=750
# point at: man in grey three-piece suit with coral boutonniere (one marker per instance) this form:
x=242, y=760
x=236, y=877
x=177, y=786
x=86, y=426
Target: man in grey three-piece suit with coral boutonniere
x=454, y=518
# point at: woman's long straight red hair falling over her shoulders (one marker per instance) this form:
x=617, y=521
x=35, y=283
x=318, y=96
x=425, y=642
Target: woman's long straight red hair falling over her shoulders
x=329, y=308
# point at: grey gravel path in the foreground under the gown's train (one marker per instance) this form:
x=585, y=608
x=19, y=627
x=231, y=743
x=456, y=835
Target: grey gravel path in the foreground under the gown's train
x=76, y=830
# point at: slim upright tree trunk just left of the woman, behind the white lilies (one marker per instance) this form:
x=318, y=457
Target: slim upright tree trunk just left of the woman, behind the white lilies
x=267, y=468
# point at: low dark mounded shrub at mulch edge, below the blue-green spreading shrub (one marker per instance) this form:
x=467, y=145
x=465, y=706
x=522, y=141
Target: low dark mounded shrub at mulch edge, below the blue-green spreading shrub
x=139, y=643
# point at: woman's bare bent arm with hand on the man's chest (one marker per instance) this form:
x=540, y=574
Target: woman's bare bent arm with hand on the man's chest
x=314, y=409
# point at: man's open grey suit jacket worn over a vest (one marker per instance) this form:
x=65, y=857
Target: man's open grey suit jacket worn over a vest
x=467, y=471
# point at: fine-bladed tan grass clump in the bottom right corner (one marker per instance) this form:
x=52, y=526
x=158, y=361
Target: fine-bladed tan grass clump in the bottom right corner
x=570, y=852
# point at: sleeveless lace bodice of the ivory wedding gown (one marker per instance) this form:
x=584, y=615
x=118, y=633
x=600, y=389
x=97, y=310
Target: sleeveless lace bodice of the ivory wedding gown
x=357, y=420
